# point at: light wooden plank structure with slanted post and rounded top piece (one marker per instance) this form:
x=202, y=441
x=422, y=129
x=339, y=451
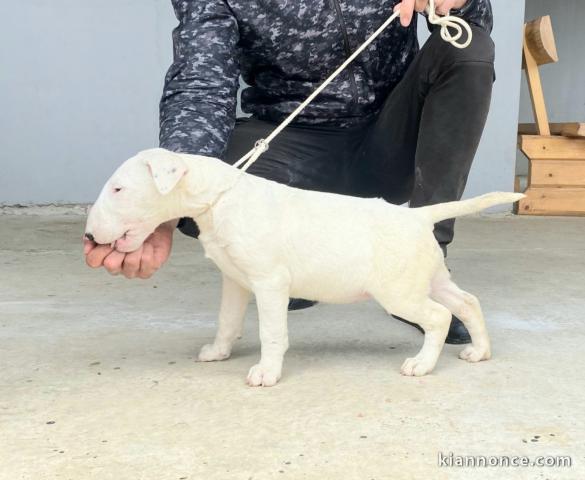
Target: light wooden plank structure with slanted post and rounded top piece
x=556, y=152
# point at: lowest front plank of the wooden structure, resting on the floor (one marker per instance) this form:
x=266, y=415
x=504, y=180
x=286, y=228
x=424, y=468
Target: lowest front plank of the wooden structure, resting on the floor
x=553, y=201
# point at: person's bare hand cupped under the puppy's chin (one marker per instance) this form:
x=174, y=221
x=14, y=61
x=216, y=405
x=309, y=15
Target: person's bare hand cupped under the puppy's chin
x=141, y=263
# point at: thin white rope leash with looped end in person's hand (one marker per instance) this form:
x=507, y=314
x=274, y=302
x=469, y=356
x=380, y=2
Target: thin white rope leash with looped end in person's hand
x=459, y=26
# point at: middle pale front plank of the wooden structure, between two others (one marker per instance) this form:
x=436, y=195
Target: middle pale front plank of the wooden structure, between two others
x=557, y=173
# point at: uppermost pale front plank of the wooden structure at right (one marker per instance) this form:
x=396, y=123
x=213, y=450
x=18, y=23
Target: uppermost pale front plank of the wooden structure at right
x=552, y=148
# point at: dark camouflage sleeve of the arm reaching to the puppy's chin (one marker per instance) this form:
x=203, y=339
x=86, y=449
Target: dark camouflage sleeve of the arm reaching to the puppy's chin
x=198, y=105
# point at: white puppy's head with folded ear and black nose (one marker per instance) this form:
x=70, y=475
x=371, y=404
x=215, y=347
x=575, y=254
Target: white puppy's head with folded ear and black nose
x=136, y=200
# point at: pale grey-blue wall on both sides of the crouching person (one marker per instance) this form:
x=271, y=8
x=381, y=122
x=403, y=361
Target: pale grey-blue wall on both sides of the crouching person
x=80, y=83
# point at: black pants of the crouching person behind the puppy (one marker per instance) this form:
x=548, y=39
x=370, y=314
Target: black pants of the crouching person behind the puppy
x=418, y=149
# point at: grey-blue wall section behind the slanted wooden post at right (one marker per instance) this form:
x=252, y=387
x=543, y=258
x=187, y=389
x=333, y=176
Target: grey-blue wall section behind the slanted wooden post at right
x=563, y=81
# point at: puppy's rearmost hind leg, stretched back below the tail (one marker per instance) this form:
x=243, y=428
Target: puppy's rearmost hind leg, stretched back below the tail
x=466, y=307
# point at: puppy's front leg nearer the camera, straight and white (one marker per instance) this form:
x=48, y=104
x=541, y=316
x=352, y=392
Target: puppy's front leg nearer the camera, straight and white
x=272, y=301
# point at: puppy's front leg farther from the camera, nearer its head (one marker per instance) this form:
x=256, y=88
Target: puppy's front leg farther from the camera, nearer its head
x=234, y=301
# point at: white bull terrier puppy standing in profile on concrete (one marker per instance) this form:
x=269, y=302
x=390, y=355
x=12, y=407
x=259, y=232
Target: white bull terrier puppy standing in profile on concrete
x=280, y=242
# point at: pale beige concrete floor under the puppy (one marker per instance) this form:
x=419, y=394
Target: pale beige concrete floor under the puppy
x=98, y=378
